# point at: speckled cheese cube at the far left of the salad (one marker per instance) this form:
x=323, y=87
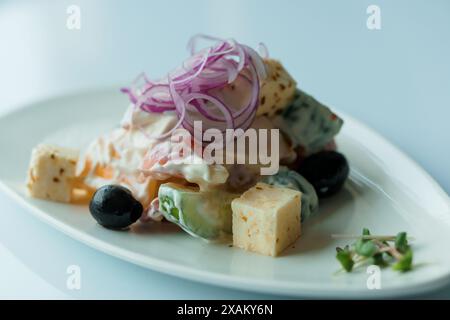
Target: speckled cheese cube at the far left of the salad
x=51, y=173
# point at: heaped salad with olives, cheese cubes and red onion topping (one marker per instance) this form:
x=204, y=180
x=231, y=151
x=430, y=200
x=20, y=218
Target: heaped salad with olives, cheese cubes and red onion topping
x=226, y=146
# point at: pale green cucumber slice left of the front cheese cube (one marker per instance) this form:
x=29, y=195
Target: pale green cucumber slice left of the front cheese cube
x=205, y=214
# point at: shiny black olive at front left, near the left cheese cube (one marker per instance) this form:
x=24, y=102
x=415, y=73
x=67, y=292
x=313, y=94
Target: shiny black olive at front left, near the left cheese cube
x=115, y=207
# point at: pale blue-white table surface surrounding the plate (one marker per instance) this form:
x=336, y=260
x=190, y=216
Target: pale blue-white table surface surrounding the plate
x=396, y=79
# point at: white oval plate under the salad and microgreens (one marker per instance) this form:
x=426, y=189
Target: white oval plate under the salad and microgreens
x=386, y=192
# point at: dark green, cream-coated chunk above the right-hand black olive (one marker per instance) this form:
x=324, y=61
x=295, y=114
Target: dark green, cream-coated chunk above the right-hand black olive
x=308, y=123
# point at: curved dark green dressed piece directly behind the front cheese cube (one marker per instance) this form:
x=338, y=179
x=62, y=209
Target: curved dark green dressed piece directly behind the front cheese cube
x=290, y=179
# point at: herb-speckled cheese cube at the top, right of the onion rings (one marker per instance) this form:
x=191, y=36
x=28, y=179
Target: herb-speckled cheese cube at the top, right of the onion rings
x=277, y=90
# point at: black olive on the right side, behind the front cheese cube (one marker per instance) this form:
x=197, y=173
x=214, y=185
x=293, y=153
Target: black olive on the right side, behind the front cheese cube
x=326, y=171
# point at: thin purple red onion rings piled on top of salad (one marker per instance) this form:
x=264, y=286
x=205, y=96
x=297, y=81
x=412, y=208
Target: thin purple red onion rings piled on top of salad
x=190, y=87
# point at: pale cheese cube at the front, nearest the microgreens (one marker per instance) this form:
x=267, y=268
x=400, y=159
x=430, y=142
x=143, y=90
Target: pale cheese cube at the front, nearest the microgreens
x=266, y=219
